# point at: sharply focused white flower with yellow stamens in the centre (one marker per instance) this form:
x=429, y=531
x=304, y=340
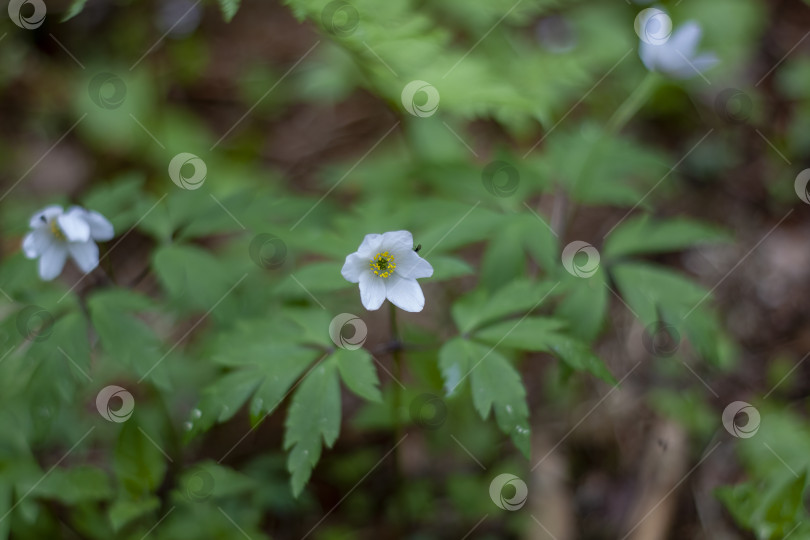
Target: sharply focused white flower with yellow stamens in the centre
x=386, y=266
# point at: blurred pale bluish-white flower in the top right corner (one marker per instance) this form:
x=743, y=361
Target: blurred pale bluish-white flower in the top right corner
x=677, y=56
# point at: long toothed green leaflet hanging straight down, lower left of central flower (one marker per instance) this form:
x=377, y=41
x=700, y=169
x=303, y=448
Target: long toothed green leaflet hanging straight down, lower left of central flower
x=314, y=415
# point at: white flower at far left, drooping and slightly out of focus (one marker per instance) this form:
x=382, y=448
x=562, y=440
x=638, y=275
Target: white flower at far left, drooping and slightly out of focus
x=58, y=234
